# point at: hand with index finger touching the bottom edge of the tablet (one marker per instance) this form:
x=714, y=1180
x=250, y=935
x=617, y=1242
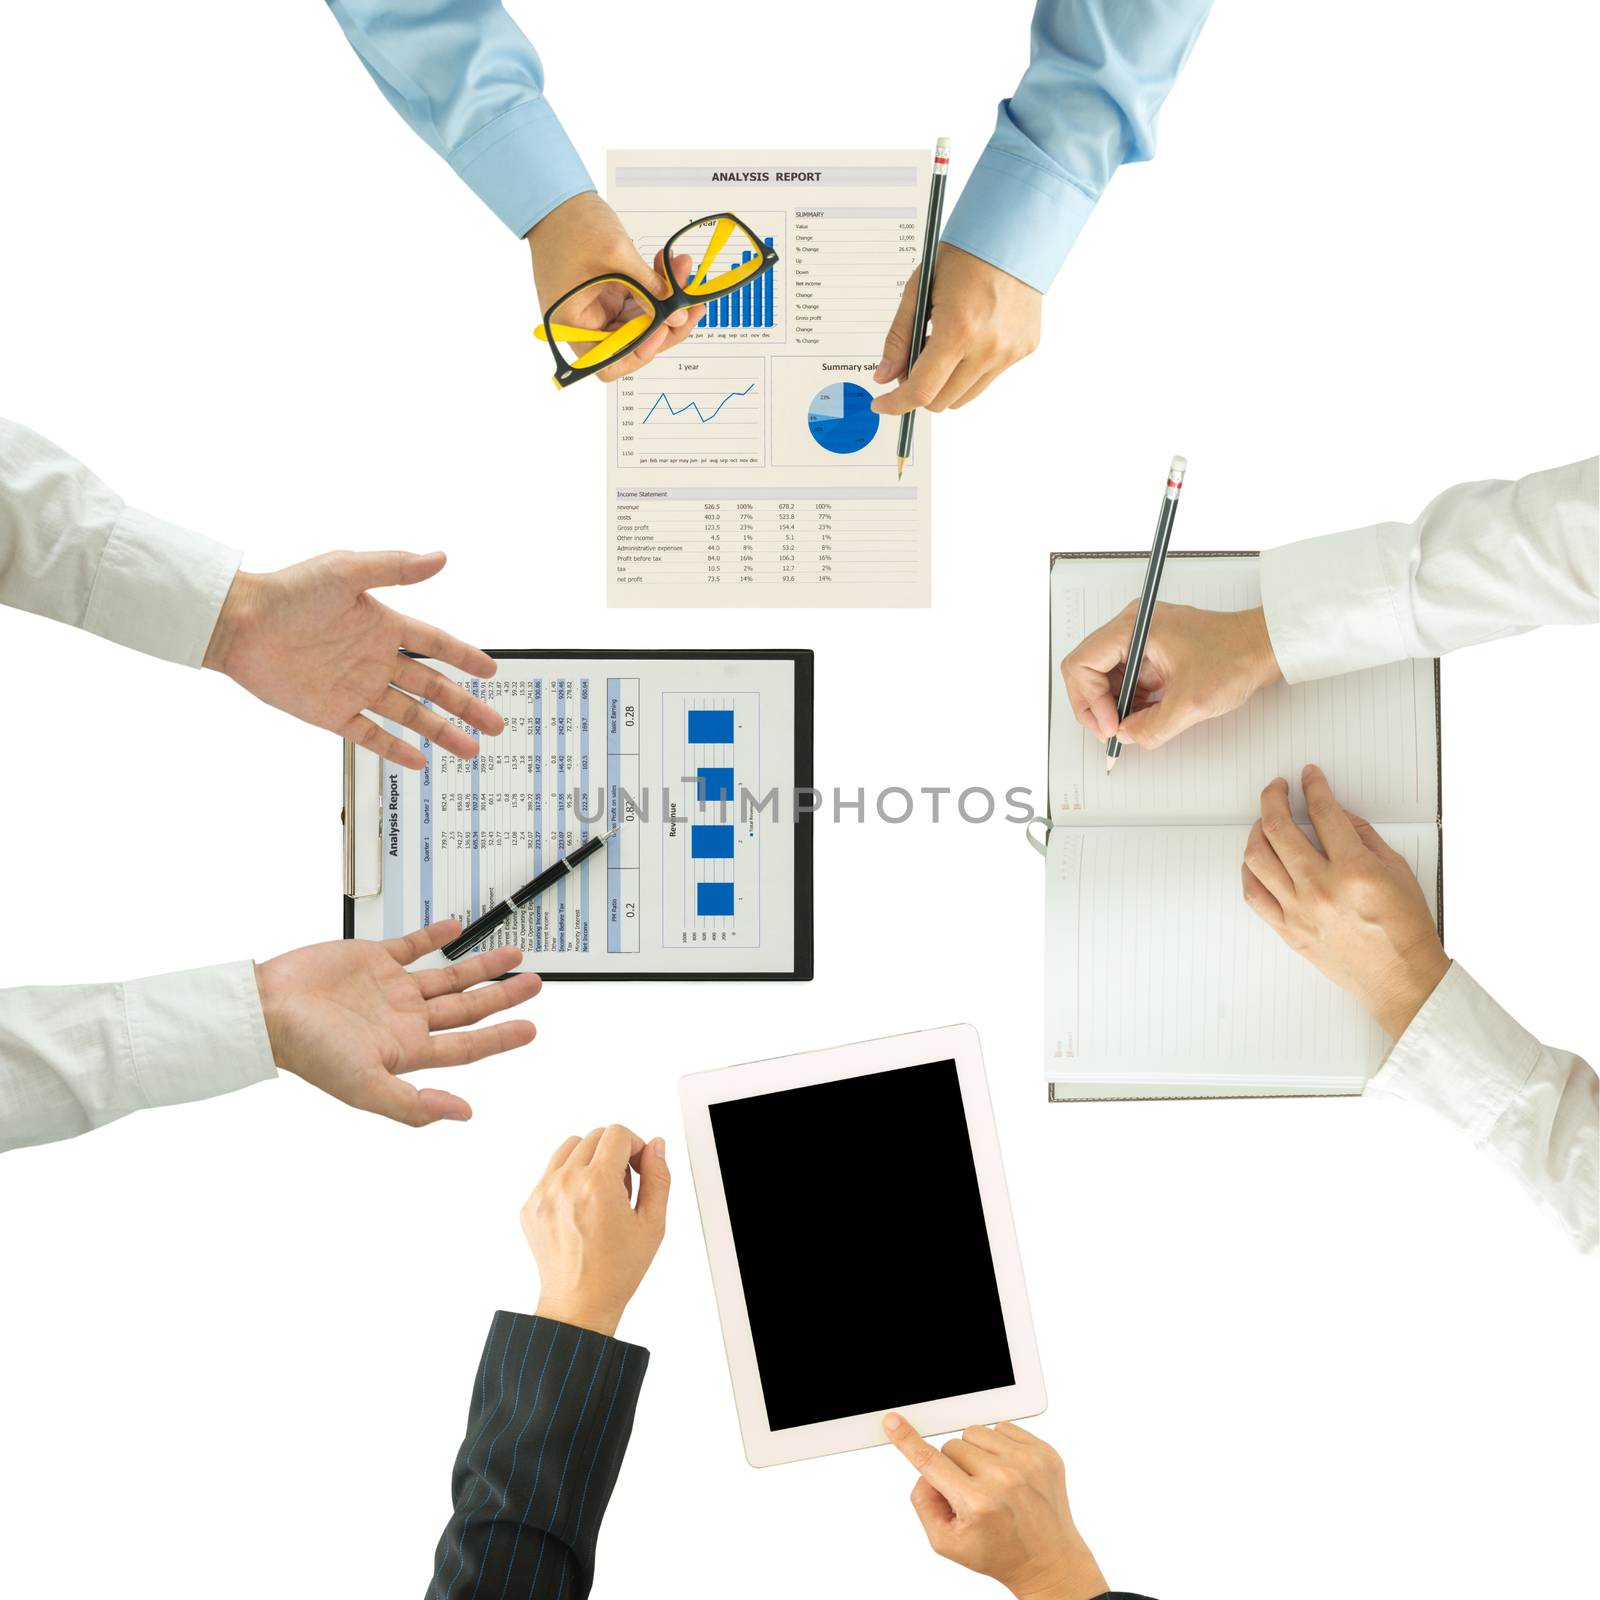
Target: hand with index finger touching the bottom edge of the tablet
x=996, y=1502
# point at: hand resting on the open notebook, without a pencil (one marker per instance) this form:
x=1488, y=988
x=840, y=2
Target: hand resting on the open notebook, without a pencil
x=1353, y=910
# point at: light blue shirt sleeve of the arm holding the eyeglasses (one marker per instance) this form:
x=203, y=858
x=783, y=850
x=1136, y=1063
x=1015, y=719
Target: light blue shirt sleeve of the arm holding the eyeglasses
x=468, y=81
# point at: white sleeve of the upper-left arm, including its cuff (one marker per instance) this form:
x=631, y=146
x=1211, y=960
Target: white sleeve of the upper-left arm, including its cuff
x=73, y=551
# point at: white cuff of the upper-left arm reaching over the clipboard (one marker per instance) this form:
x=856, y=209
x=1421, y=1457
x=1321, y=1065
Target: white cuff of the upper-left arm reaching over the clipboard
x=159, y=588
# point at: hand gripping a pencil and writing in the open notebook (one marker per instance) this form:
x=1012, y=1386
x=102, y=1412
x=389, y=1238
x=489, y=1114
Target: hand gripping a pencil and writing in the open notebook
x=1198, y=665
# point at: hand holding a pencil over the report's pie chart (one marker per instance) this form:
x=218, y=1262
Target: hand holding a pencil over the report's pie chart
x=982, y=322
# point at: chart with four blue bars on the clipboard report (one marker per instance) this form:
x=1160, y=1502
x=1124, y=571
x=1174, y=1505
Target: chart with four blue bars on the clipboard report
x=711, y=857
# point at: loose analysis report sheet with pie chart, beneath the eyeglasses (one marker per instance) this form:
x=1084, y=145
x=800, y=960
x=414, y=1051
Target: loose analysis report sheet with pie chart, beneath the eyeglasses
x=746, y=468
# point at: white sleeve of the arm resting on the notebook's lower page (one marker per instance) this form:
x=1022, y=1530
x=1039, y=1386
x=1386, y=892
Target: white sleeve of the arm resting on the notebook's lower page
x=1534, y=1110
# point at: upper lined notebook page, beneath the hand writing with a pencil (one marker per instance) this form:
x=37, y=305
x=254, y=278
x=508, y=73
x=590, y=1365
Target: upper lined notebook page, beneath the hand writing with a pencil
x=1374, y=734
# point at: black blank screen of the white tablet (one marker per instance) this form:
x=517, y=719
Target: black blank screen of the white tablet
x=862, y=1244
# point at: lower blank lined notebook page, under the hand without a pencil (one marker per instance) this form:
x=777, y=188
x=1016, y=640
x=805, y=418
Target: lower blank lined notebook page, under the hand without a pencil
x=1159, y=974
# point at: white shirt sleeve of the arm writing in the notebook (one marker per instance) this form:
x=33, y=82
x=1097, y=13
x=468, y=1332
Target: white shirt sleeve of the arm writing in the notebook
x=1484, y=561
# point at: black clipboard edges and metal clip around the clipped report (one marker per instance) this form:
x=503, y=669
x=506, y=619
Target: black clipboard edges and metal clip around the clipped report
x=362, y=817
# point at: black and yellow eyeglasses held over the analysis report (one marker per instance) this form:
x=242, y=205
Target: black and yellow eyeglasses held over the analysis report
x=599, y=322
